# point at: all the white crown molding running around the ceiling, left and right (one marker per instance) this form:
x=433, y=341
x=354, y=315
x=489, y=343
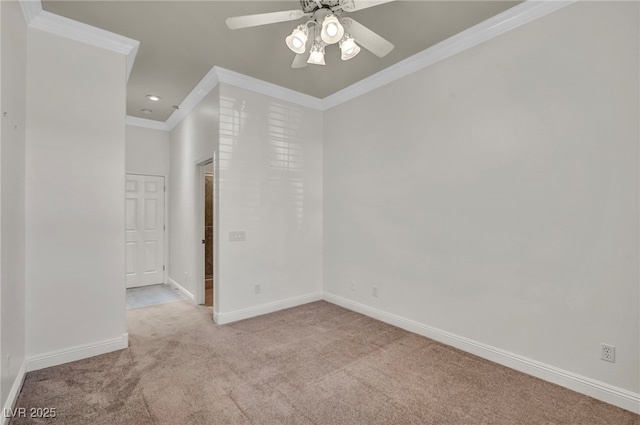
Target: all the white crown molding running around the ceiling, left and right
x=519, y=15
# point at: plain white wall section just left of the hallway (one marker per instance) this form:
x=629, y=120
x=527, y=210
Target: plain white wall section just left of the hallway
x=75, y=171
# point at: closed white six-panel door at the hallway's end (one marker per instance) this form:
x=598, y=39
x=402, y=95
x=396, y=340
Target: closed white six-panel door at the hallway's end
x=145, y=230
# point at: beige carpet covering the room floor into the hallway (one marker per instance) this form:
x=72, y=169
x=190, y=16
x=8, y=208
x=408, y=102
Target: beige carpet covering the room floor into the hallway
x=314, y=364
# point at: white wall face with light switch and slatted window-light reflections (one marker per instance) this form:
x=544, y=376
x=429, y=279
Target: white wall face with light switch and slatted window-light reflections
x=270, y=186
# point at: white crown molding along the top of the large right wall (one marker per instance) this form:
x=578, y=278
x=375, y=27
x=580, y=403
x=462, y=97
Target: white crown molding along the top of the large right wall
x=504, y=22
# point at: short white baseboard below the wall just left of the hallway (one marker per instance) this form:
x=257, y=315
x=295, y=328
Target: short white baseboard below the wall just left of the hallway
x=79, y=352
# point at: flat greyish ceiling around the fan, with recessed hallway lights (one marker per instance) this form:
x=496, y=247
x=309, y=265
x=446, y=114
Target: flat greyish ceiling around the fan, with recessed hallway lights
x=180, y=41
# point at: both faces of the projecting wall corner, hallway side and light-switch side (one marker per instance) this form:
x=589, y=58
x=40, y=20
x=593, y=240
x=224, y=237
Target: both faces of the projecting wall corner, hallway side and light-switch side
x=268, y=169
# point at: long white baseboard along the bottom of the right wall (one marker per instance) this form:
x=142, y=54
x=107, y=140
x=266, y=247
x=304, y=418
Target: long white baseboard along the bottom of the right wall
x=599, y=390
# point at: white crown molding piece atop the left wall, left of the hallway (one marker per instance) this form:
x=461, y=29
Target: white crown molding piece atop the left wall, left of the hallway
x=40, y=19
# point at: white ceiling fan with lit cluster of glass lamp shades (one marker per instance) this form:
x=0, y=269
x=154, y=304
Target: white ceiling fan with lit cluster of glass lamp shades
x=325, y=25
